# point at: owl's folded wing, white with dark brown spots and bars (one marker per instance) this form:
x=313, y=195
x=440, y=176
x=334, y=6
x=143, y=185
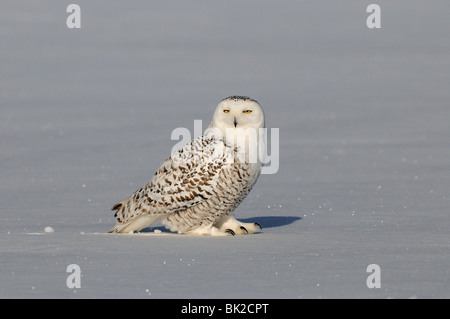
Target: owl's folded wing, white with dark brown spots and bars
x=184, y=180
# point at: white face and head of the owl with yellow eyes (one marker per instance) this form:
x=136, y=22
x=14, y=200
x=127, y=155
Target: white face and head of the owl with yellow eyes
x=238, y=112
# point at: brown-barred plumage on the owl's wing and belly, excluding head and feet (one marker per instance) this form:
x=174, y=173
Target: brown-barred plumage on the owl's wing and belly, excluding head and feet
x=202, y=182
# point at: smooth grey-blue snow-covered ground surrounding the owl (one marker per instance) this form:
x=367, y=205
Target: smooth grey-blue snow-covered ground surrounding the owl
x=86, y=117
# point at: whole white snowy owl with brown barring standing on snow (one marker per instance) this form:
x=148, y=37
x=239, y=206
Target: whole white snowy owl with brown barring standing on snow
x=196, y=190
